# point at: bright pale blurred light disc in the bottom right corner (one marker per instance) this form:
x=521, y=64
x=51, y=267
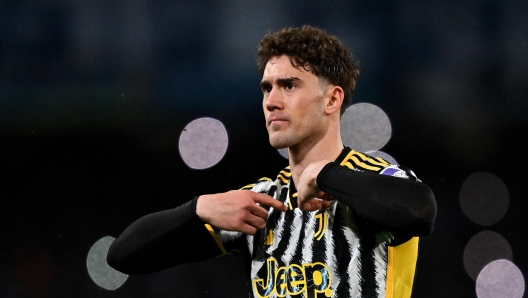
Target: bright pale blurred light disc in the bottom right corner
x=500, y=278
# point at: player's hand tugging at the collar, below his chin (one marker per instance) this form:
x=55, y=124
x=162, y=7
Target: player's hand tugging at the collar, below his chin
x=310, y=197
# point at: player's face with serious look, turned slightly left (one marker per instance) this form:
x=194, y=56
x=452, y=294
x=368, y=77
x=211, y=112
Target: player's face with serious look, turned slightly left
x=293, y=104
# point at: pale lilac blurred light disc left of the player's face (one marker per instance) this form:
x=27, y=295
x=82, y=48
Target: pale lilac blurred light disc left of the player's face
x=203, y=143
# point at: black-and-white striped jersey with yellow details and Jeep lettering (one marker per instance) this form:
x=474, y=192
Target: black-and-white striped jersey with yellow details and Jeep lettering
x=332, y=252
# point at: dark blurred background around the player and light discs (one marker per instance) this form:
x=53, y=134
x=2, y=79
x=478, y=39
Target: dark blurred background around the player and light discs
x=94, y=96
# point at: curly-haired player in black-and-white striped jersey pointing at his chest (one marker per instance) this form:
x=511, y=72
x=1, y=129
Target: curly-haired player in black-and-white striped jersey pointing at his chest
x=334, y=223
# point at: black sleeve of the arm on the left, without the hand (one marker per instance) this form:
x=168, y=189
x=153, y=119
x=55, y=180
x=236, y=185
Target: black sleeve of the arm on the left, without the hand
x=162, y=240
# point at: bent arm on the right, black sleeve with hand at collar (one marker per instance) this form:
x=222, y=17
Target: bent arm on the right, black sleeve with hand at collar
x=401, y=206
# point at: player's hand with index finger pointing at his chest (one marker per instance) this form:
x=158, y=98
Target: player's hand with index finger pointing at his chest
x=237, y=210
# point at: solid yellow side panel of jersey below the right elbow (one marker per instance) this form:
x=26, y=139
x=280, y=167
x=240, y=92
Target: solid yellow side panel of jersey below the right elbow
x=401, y=267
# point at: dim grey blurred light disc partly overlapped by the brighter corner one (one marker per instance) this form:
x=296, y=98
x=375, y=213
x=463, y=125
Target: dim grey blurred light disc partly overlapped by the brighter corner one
x=483, y=248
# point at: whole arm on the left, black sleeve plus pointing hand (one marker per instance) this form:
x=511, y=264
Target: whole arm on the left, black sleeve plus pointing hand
x=168, y=238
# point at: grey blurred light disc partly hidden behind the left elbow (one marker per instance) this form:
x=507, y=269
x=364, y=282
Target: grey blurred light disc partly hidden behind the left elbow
x=101, y=273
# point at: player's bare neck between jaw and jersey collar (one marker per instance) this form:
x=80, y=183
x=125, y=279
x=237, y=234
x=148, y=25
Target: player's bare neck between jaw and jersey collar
x=303, y=154
